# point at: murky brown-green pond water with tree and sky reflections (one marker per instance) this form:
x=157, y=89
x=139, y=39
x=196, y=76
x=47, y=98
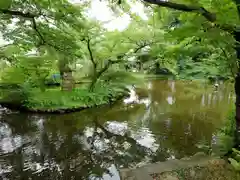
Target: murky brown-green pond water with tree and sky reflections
x=165, y=120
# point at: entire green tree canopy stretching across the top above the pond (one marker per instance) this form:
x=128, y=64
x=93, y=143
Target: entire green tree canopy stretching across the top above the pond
x=175, y=40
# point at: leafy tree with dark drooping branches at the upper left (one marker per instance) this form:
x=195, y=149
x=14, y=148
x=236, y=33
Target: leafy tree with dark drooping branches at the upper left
x=44, y=24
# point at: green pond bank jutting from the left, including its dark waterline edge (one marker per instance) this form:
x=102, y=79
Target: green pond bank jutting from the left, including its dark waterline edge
x=63, y=102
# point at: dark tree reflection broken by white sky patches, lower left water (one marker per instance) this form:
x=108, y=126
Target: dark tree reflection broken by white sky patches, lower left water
x=72, y=155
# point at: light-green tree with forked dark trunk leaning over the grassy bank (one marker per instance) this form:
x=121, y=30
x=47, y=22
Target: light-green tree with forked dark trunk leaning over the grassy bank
x=108, y=51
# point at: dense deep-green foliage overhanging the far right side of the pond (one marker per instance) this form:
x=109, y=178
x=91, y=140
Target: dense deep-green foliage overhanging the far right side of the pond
x=193, y=47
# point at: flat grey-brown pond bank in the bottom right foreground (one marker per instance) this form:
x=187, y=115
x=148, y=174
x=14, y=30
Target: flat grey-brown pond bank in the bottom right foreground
x=197, y=167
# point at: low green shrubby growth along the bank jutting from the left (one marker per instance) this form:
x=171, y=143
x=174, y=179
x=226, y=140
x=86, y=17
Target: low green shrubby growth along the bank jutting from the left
x=56, y=101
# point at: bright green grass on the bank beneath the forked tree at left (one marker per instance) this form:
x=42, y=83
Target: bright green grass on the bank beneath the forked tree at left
x=55, y=99
